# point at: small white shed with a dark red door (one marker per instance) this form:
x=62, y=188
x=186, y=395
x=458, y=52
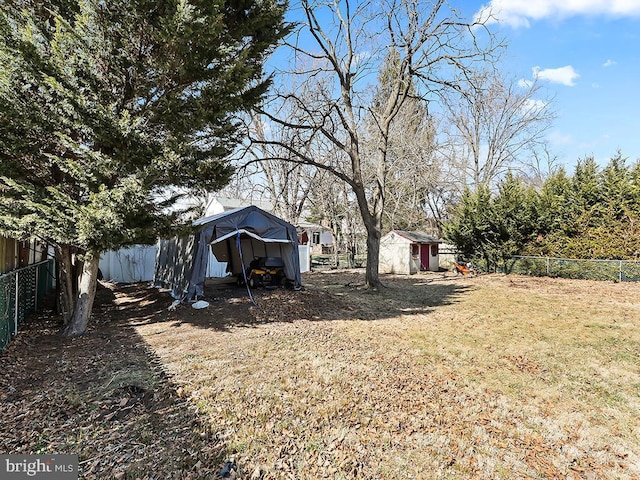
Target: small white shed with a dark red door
x=407, y=253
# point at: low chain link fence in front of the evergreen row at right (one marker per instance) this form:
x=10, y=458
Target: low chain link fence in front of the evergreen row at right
x=607, y=270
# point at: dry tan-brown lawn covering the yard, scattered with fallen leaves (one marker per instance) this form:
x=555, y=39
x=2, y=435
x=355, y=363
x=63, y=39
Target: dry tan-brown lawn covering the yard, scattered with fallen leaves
x=436, y=376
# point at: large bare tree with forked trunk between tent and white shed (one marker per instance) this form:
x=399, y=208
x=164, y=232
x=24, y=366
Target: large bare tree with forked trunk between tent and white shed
x=338, y=50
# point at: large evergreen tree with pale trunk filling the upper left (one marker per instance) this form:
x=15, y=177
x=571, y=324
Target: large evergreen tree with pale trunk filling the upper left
x=102, y=104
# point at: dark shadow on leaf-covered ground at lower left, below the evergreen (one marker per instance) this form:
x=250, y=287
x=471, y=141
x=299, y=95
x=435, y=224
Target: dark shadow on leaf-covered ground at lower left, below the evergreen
x=104, y=396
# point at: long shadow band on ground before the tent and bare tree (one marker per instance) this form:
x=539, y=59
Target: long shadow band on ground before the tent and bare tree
x=326, y=297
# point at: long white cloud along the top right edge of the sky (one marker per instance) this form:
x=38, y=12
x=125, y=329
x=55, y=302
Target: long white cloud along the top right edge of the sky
x=520, y=13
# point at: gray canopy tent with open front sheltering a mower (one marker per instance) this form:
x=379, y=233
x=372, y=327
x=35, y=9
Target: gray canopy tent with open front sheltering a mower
x=235, y=237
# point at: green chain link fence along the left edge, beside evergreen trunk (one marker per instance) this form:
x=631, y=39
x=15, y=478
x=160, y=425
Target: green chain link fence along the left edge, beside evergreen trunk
x=21, y=292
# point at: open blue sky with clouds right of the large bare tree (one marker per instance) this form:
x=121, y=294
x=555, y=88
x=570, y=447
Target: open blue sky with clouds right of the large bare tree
x=586, y=53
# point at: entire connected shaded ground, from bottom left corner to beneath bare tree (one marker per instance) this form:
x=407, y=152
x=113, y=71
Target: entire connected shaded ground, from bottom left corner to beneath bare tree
x=106, y=396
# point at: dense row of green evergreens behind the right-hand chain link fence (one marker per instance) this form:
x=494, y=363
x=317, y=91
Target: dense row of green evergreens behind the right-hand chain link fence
x=595, y=214
